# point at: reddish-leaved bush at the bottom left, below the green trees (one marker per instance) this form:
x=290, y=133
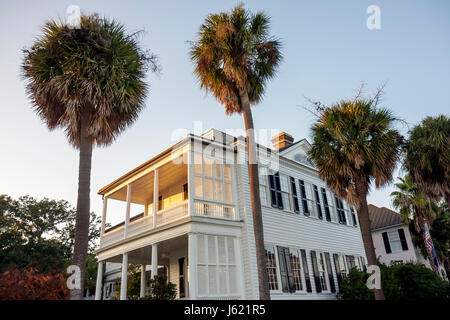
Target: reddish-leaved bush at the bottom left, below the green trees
x=31, y=285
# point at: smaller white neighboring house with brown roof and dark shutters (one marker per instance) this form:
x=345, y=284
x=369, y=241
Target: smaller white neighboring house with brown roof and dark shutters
x=392, y=239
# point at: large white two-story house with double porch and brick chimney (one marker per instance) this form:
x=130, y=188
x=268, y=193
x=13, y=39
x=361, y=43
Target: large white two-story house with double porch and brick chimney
x=200, y=232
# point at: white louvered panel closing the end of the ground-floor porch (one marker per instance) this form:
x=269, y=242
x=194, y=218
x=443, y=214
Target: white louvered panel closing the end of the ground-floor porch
x=217, y=269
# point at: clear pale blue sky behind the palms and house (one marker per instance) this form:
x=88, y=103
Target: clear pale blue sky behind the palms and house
x=328, y=52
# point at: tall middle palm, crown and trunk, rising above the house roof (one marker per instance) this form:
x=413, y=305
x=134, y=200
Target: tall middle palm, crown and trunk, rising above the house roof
x=234, y=57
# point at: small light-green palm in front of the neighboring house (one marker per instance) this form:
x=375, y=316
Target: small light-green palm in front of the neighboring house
x=413, y=204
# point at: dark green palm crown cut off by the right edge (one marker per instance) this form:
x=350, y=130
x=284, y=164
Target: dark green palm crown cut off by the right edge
x=428, y=157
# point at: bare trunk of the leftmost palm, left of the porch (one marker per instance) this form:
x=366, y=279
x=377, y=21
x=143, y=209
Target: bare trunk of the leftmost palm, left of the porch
x=83, y=207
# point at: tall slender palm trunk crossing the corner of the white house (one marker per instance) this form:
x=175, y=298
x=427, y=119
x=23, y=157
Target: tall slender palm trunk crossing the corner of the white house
x=264, y=293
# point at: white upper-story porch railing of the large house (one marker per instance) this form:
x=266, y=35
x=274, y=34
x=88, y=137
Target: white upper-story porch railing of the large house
x=141, y=223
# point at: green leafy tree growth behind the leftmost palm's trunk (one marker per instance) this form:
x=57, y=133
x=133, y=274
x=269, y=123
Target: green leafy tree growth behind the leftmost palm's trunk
x=39, y=234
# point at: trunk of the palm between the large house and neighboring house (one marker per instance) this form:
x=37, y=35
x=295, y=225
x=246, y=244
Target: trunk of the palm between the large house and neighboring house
x=366, y=232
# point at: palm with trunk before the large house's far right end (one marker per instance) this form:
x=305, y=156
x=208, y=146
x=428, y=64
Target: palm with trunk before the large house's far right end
x=353, y=145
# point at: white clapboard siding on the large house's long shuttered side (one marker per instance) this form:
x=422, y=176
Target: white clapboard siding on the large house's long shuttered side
x=289, y=229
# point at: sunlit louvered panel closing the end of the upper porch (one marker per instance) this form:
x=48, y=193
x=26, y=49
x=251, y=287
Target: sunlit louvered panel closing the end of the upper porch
x=212, y=179
